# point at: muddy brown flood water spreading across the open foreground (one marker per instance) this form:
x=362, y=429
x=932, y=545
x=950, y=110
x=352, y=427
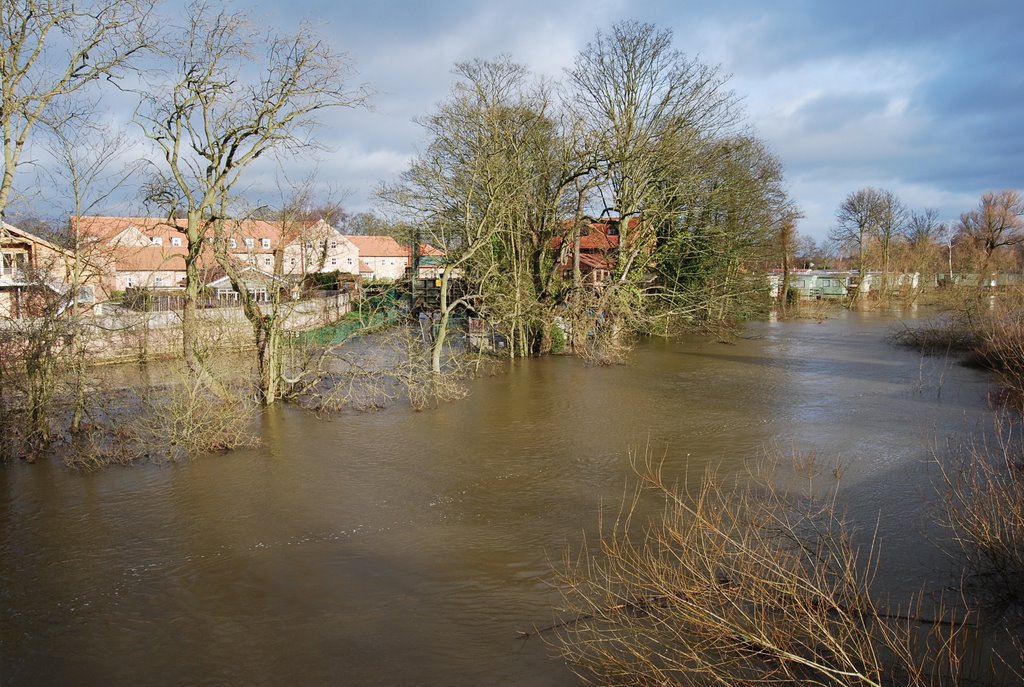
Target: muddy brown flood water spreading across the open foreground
x=403, y=548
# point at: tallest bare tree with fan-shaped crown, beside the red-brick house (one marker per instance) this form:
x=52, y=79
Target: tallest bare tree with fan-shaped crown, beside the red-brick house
x=649, y=108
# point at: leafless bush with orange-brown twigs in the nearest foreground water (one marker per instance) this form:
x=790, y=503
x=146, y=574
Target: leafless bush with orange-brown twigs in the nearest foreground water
x=741, y=585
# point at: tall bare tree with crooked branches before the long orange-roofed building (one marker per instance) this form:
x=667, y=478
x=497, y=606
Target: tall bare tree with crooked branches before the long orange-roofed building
x=231, y=97
